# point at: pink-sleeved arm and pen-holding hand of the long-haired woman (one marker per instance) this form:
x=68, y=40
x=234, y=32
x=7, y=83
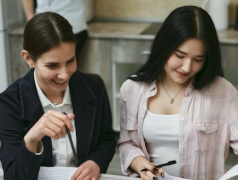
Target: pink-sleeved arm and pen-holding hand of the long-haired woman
x=131, y=154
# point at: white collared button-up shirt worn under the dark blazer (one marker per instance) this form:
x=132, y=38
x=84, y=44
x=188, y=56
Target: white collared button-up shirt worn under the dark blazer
x=62, y=151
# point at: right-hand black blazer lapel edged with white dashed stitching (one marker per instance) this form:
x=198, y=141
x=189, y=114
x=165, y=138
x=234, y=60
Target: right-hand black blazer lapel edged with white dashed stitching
x=84, y=108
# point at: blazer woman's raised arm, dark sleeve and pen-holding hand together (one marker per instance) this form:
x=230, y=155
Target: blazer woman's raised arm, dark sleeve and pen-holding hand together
x=18, y=147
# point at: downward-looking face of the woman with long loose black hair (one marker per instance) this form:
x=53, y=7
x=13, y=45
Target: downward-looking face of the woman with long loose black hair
x=186, y=61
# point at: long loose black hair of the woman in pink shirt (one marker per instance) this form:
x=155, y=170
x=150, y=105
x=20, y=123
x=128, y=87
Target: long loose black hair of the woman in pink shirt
x=181, y=24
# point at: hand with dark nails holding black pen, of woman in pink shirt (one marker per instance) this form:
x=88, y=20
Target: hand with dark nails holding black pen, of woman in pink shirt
x=140, y=163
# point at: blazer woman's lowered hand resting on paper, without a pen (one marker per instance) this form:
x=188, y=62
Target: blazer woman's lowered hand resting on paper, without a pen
x=87, y=171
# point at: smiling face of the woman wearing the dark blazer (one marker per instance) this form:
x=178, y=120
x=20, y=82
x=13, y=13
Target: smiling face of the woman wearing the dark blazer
x=54, y=69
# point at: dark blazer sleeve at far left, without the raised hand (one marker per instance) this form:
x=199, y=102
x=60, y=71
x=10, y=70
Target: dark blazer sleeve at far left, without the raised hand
x=18, y=162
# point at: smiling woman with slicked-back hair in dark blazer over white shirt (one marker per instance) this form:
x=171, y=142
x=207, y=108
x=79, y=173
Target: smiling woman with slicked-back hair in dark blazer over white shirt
x=37, y=110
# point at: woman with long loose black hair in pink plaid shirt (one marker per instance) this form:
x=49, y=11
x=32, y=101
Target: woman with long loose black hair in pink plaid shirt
x=178, y=106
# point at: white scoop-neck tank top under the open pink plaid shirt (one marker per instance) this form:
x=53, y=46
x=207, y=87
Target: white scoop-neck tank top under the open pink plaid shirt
x=161, y=133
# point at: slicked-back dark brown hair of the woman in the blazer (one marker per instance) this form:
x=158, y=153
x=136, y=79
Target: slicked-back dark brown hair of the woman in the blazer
x=45, y=31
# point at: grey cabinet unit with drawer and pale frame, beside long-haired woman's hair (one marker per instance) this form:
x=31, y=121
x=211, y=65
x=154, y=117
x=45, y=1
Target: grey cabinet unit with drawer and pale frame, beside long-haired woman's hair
x=127, y=57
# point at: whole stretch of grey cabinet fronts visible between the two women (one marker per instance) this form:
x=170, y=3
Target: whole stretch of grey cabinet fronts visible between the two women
x=114, y=60
